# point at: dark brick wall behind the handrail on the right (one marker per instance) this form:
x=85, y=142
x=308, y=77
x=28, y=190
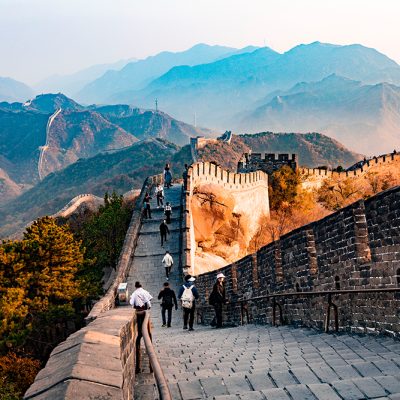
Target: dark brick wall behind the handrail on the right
x=355, y=248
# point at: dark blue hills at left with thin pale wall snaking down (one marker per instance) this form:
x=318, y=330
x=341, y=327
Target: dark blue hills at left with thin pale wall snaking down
x=36, y=139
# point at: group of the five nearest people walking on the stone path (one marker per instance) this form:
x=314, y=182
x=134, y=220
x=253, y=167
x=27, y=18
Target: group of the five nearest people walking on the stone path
x=187, y=295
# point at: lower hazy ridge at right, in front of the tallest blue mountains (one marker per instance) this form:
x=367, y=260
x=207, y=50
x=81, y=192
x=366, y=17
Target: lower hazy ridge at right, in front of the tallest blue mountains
x=362, y=117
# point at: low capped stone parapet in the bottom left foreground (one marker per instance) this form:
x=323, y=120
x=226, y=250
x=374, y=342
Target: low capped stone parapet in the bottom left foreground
x=96, y=362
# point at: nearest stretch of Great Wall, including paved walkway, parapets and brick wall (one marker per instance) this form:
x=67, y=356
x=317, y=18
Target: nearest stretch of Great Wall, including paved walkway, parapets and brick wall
x=340, y=272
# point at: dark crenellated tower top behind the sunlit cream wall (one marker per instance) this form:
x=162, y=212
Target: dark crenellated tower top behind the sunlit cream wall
x=267, y=162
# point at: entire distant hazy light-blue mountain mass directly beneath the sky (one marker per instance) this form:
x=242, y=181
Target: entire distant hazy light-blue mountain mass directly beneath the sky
x=348, y=92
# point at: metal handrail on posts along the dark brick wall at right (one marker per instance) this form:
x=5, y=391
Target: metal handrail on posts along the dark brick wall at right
x=329, y=293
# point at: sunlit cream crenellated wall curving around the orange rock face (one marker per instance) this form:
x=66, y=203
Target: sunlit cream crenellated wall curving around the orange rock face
x=242, y=186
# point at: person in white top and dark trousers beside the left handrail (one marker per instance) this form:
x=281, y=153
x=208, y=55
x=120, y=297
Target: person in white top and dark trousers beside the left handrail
x=140, y=301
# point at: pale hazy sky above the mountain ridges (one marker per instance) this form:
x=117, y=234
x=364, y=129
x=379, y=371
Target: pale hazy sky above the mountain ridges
x=39, y=38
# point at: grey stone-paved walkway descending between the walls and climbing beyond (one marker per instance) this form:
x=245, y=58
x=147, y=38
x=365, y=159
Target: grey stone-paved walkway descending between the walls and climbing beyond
x=256, y=362
